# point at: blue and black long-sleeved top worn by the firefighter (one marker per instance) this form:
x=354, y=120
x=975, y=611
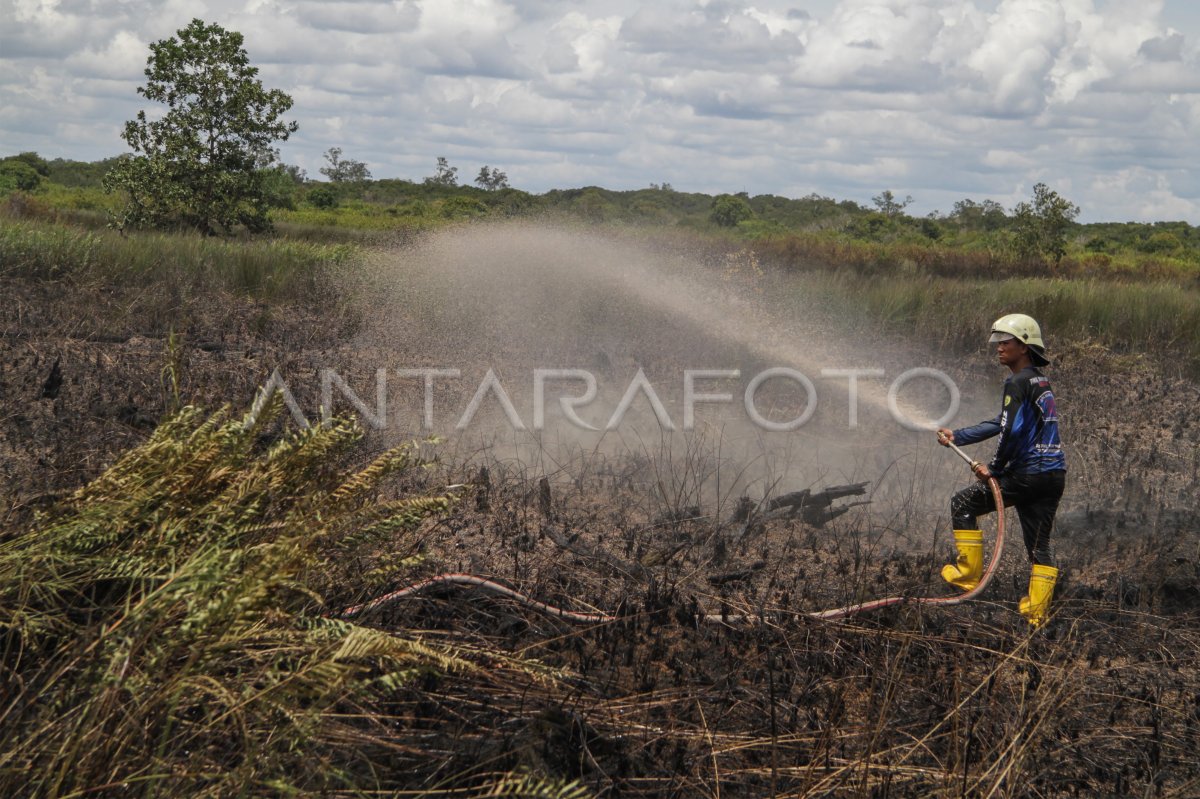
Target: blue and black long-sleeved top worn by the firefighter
x=1028, y=426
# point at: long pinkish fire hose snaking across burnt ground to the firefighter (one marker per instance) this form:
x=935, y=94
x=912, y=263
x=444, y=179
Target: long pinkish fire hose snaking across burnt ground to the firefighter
x=501, y=590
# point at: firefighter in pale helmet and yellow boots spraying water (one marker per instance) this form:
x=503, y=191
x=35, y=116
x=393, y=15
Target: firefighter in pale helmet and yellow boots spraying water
x=1029, y=466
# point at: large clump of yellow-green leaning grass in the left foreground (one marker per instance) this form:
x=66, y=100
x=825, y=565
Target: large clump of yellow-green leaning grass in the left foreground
x=165, y=632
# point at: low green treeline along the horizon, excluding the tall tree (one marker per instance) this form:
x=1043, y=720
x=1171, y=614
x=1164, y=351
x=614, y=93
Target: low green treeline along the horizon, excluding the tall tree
x=974, y=236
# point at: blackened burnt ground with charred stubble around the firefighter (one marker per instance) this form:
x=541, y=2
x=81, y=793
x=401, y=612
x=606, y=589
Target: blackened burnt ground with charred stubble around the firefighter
x=910, y=701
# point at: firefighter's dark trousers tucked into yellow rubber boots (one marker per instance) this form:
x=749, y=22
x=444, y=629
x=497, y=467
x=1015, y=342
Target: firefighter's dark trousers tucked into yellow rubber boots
x=1036, y=497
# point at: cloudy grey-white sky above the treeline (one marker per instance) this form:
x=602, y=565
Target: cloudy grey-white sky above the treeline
x=935, y=99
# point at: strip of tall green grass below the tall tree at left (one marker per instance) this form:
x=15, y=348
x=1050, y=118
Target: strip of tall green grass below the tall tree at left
x=266, y=268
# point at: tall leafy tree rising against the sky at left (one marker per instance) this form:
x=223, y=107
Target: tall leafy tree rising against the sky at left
x=201, y=166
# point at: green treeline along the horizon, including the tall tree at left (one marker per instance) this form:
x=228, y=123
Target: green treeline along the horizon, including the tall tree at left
x=176, y=178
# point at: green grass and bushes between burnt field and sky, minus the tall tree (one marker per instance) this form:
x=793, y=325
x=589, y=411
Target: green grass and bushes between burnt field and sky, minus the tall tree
x=1130, y=287
